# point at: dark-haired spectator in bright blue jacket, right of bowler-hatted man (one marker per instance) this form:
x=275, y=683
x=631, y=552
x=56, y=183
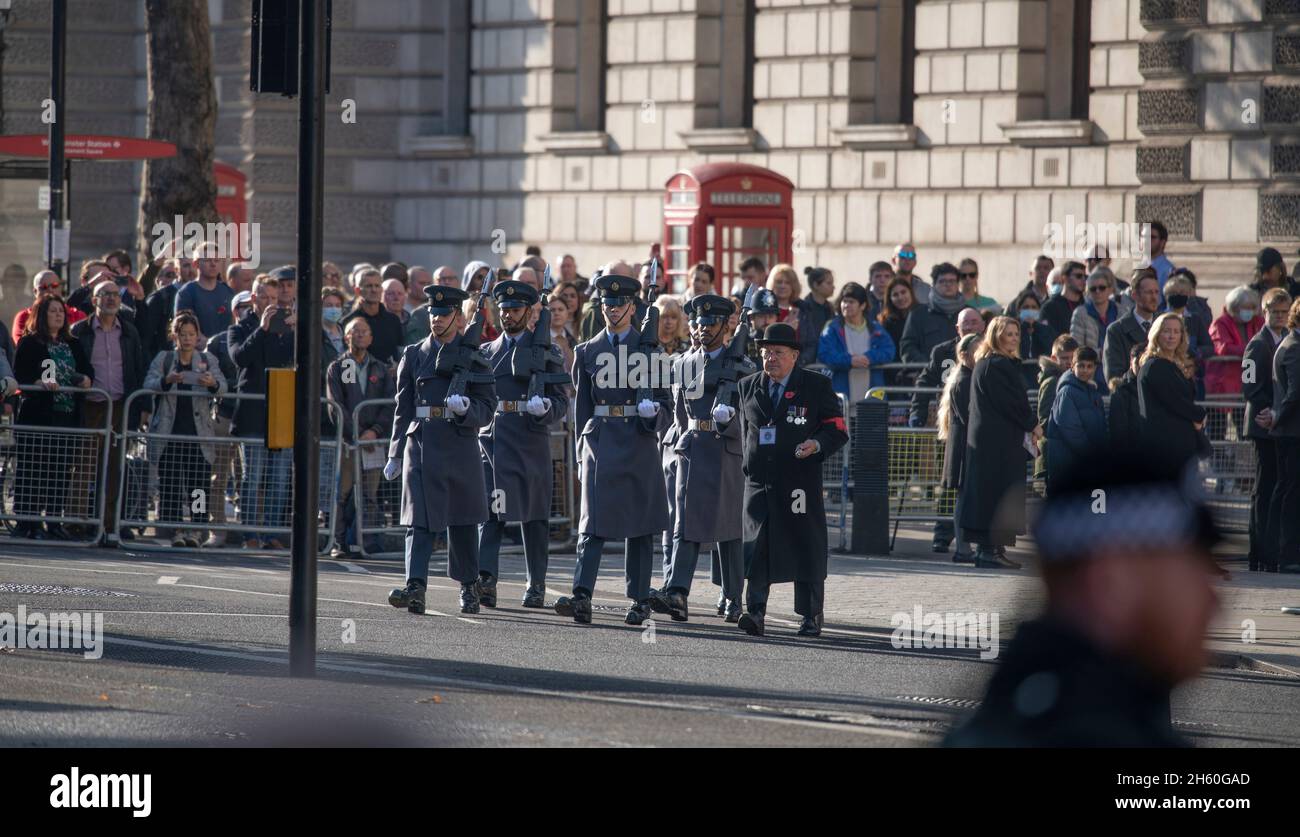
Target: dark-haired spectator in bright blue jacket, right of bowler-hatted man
x=852, y=344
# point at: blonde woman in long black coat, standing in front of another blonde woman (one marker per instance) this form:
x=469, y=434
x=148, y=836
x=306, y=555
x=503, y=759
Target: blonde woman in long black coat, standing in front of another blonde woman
x=993, y=496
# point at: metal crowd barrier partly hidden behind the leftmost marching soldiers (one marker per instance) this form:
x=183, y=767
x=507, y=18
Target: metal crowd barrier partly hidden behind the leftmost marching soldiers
x=379, y=505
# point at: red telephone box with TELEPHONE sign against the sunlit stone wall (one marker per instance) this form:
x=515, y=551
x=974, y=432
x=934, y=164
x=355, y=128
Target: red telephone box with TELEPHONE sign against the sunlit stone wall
x=723, y=214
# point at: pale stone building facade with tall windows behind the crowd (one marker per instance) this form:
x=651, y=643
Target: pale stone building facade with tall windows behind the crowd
x=964, y=127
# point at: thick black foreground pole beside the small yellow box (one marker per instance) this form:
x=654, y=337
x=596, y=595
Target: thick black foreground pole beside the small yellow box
x=307, y=381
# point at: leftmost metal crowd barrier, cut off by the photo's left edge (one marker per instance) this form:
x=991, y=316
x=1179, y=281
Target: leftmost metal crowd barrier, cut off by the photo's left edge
x=55, y=475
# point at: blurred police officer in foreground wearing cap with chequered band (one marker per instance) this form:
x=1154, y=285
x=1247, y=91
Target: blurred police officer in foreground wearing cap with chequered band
x=1126, y=560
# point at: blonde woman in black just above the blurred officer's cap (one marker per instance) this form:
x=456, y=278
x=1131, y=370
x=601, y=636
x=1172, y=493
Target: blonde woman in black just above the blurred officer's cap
x=1172, y=422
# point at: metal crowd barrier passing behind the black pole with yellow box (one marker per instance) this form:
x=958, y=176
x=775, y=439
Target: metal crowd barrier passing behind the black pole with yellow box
x=181, y=485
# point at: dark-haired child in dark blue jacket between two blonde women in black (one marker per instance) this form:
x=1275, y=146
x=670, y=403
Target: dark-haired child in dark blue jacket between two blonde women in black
x=1078, y=424
